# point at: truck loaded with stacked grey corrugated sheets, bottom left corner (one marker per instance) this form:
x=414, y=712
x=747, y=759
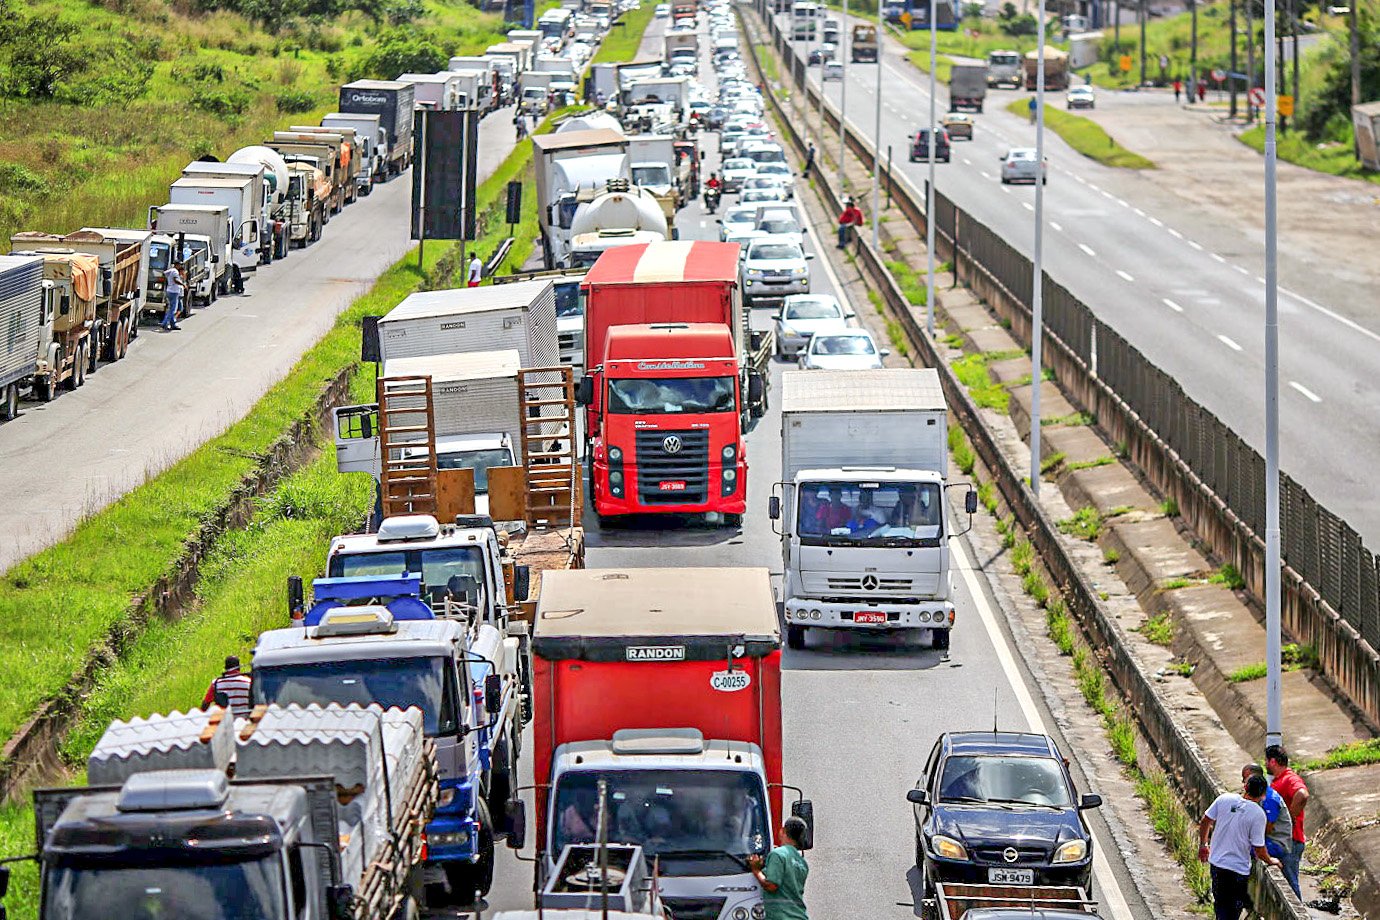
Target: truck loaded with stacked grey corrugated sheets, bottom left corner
x=322, y=821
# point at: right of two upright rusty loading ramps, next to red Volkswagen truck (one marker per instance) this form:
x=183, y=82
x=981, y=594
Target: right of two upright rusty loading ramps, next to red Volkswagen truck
x=551, y=460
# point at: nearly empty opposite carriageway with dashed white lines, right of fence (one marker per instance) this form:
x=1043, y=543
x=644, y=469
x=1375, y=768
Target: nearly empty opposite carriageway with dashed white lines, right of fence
x=1176, y=282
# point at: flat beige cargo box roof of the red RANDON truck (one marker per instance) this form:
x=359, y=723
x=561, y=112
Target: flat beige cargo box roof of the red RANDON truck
x=597, y=614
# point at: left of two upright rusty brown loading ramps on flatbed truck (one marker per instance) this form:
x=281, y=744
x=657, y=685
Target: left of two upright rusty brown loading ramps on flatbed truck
x=408, y=446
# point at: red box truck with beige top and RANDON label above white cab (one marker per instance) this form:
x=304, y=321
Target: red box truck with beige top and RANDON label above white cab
x=666, y=685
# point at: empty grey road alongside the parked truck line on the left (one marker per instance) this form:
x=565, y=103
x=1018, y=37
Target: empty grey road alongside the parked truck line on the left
x=70, y=459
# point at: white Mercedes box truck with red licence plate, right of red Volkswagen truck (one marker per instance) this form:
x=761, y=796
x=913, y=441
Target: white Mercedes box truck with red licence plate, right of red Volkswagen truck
x=863, y=517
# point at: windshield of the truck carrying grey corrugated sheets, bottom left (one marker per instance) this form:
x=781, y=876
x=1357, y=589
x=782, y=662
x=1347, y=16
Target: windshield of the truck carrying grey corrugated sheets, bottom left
x=231, y=890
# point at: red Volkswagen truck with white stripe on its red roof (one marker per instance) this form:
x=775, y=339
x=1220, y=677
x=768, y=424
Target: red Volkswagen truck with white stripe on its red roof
x=674, y=377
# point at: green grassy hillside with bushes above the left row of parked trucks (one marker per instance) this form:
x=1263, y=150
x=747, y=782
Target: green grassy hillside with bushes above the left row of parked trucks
x=104, y=103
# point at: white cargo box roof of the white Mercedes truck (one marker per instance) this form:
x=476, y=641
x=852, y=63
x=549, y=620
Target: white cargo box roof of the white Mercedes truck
x=884, y=390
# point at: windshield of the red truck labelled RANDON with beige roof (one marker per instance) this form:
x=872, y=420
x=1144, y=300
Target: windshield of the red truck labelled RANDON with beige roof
x=702, y=816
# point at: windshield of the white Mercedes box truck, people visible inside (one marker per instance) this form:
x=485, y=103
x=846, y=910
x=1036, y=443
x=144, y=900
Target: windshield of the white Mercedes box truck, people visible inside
x=873, y=514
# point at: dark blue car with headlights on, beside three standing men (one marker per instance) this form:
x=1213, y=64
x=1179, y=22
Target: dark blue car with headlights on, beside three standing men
x=1001, y=808
